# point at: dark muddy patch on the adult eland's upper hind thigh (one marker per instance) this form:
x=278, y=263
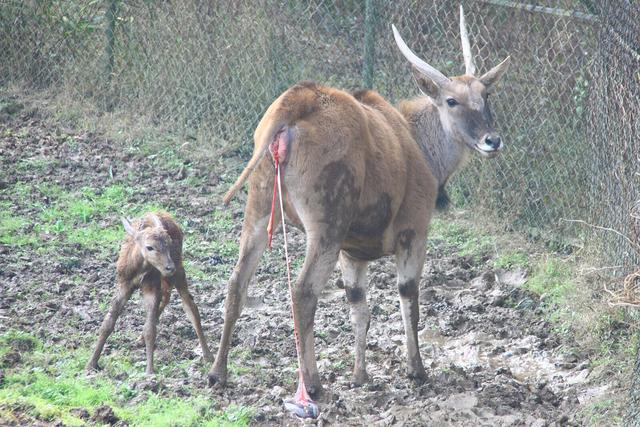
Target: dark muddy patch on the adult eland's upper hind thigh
x=336, y=185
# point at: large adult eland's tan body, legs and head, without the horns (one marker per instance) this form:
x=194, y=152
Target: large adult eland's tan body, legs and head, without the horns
x=361, y=178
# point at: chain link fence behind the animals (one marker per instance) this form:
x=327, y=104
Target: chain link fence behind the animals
x=568, y=107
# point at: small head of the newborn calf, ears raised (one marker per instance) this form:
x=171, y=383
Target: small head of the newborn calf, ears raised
x=154, y=244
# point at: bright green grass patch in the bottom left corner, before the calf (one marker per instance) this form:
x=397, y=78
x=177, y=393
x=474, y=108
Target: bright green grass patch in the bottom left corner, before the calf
x=48, y=383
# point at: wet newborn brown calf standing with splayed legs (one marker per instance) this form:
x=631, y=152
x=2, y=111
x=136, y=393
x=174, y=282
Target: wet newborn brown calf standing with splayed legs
x=150, y=259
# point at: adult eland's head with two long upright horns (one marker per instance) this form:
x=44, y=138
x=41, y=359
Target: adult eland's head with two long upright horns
x=462, y=101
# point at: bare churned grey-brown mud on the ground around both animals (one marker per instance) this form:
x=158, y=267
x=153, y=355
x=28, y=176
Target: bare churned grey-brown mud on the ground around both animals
x=491, y=357
